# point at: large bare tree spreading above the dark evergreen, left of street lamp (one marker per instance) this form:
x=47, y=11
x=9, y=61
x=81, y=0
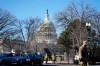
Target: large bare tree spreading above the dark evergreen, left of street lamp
x=83, y=12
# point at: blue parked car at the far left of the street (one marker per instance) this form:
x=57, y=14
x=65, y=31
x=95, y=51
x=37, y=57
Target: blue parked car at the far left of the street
x=14, y=59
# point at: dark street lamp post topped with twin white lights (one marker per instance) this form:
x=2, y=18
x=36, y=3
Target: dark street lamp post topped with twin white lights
x=88, y=26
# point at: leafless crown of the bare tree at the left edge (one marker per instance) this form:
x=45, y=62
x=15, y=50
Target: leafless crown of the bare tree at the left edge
x=7, y=24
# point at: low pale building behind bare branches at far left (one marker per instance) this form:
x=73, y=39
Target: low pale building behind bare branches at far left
x=12, y=45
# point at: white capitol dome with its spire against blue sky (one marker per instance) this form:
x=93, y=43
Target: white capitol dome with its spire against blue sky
x=47, y=32
